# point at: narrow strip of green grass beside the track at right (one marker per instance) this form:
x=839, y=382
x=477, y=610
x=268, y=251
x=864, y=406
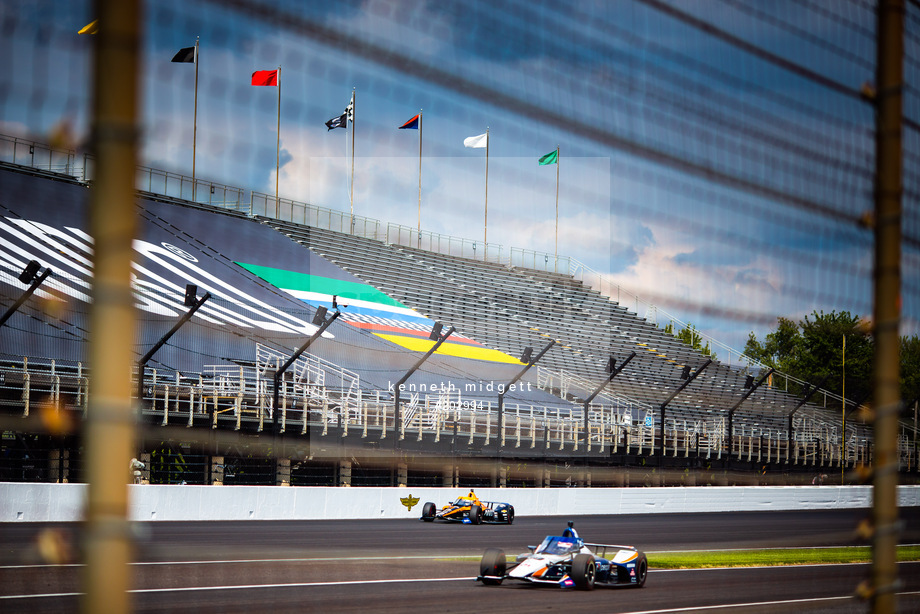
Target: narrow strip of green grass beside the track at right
x=755, y=558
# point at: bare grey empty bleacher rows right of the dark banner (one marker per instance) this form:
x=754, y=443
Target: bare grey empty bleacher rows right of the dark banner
x=509, y=308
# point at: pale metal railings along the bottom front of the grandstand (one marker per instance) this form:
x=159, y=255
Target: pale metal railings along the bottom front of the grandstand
x=225, y=396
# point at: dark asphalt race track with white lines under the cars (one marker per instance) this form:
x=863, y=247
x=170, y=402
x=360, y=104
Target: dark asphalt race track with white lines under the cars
x=410, y=566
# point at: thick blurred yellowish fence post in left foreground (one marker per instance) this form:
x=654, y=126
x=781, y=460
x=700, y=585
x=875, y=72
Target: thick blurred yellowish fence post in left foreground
x=109, y=434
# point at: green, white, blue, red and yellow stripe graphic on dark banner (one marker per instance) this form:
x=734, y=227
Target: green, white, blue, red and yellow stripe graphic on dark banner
x=367, y=308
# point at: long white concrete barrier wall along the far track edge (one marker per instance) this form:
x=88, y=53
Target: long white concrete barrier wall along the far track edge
x=26, y=502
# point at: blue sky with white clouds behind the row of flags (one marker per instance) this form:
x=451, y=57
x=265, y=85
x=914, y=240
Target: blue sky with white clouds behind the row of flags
x=716, y=171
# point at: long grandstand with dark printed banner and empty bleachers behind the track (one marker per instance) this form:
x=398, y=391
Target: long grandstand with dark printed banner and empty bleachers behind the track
x=669, y=408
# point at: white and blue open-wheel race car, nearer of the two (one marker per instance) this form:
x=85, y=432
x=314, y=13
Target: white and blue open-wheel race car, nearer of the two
x=567, y=561
